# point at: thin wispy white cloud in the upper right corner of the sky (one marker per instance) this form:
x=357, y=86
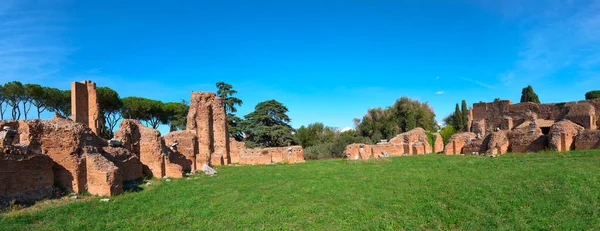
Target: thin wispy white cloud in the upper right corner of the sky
x=565, y=36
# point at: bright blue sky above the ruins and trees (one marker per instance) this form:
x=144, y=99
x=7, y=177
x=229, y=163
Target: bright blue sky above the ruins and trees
x=327, y=61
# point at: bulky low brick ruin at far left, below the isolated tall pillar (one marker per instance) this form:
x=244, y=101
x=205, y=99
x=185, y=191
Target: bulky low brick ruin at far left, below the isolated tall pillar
x=64, y=153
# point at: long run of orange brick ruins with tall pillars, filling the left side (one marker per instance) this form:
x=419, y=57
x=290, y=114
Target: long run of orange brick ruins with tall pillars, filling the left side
x=69, y=153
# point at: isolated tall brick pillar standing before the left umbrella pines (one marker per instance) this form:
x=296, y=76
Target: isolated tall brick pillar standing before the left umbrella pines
x=84, y=105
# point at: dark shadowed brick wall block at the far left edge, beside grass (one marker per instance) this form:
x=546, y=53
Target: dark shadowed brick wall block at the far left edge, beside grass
x=25, y=177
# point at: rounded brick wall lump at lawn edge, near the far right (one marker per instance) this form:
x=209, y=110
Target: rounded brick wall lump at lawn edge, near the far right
x=562, y=135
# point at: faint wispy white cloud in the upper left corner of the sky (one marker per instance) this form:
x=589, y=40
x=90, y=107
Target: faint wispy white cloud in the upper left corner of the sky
x=30, y=43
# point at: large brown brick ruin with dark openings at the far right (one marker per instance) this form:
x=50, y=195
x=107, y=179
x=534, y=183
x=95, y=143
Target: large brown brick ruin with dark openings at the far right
x=500, y=126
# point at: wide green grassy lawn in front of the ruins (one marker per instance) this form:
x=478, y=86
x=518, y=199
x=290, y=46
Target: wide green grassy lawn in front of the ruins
x=514, y=191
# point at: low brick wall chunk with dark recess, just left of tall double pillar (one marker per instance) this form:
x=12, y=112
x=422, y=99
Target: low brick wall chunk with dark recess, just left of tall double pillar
x=184, y=153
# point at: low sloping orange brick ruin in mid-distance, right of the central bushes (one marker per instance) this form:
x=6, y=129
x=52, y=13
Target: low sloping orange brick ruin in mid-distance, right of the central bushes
x=414, y=142
